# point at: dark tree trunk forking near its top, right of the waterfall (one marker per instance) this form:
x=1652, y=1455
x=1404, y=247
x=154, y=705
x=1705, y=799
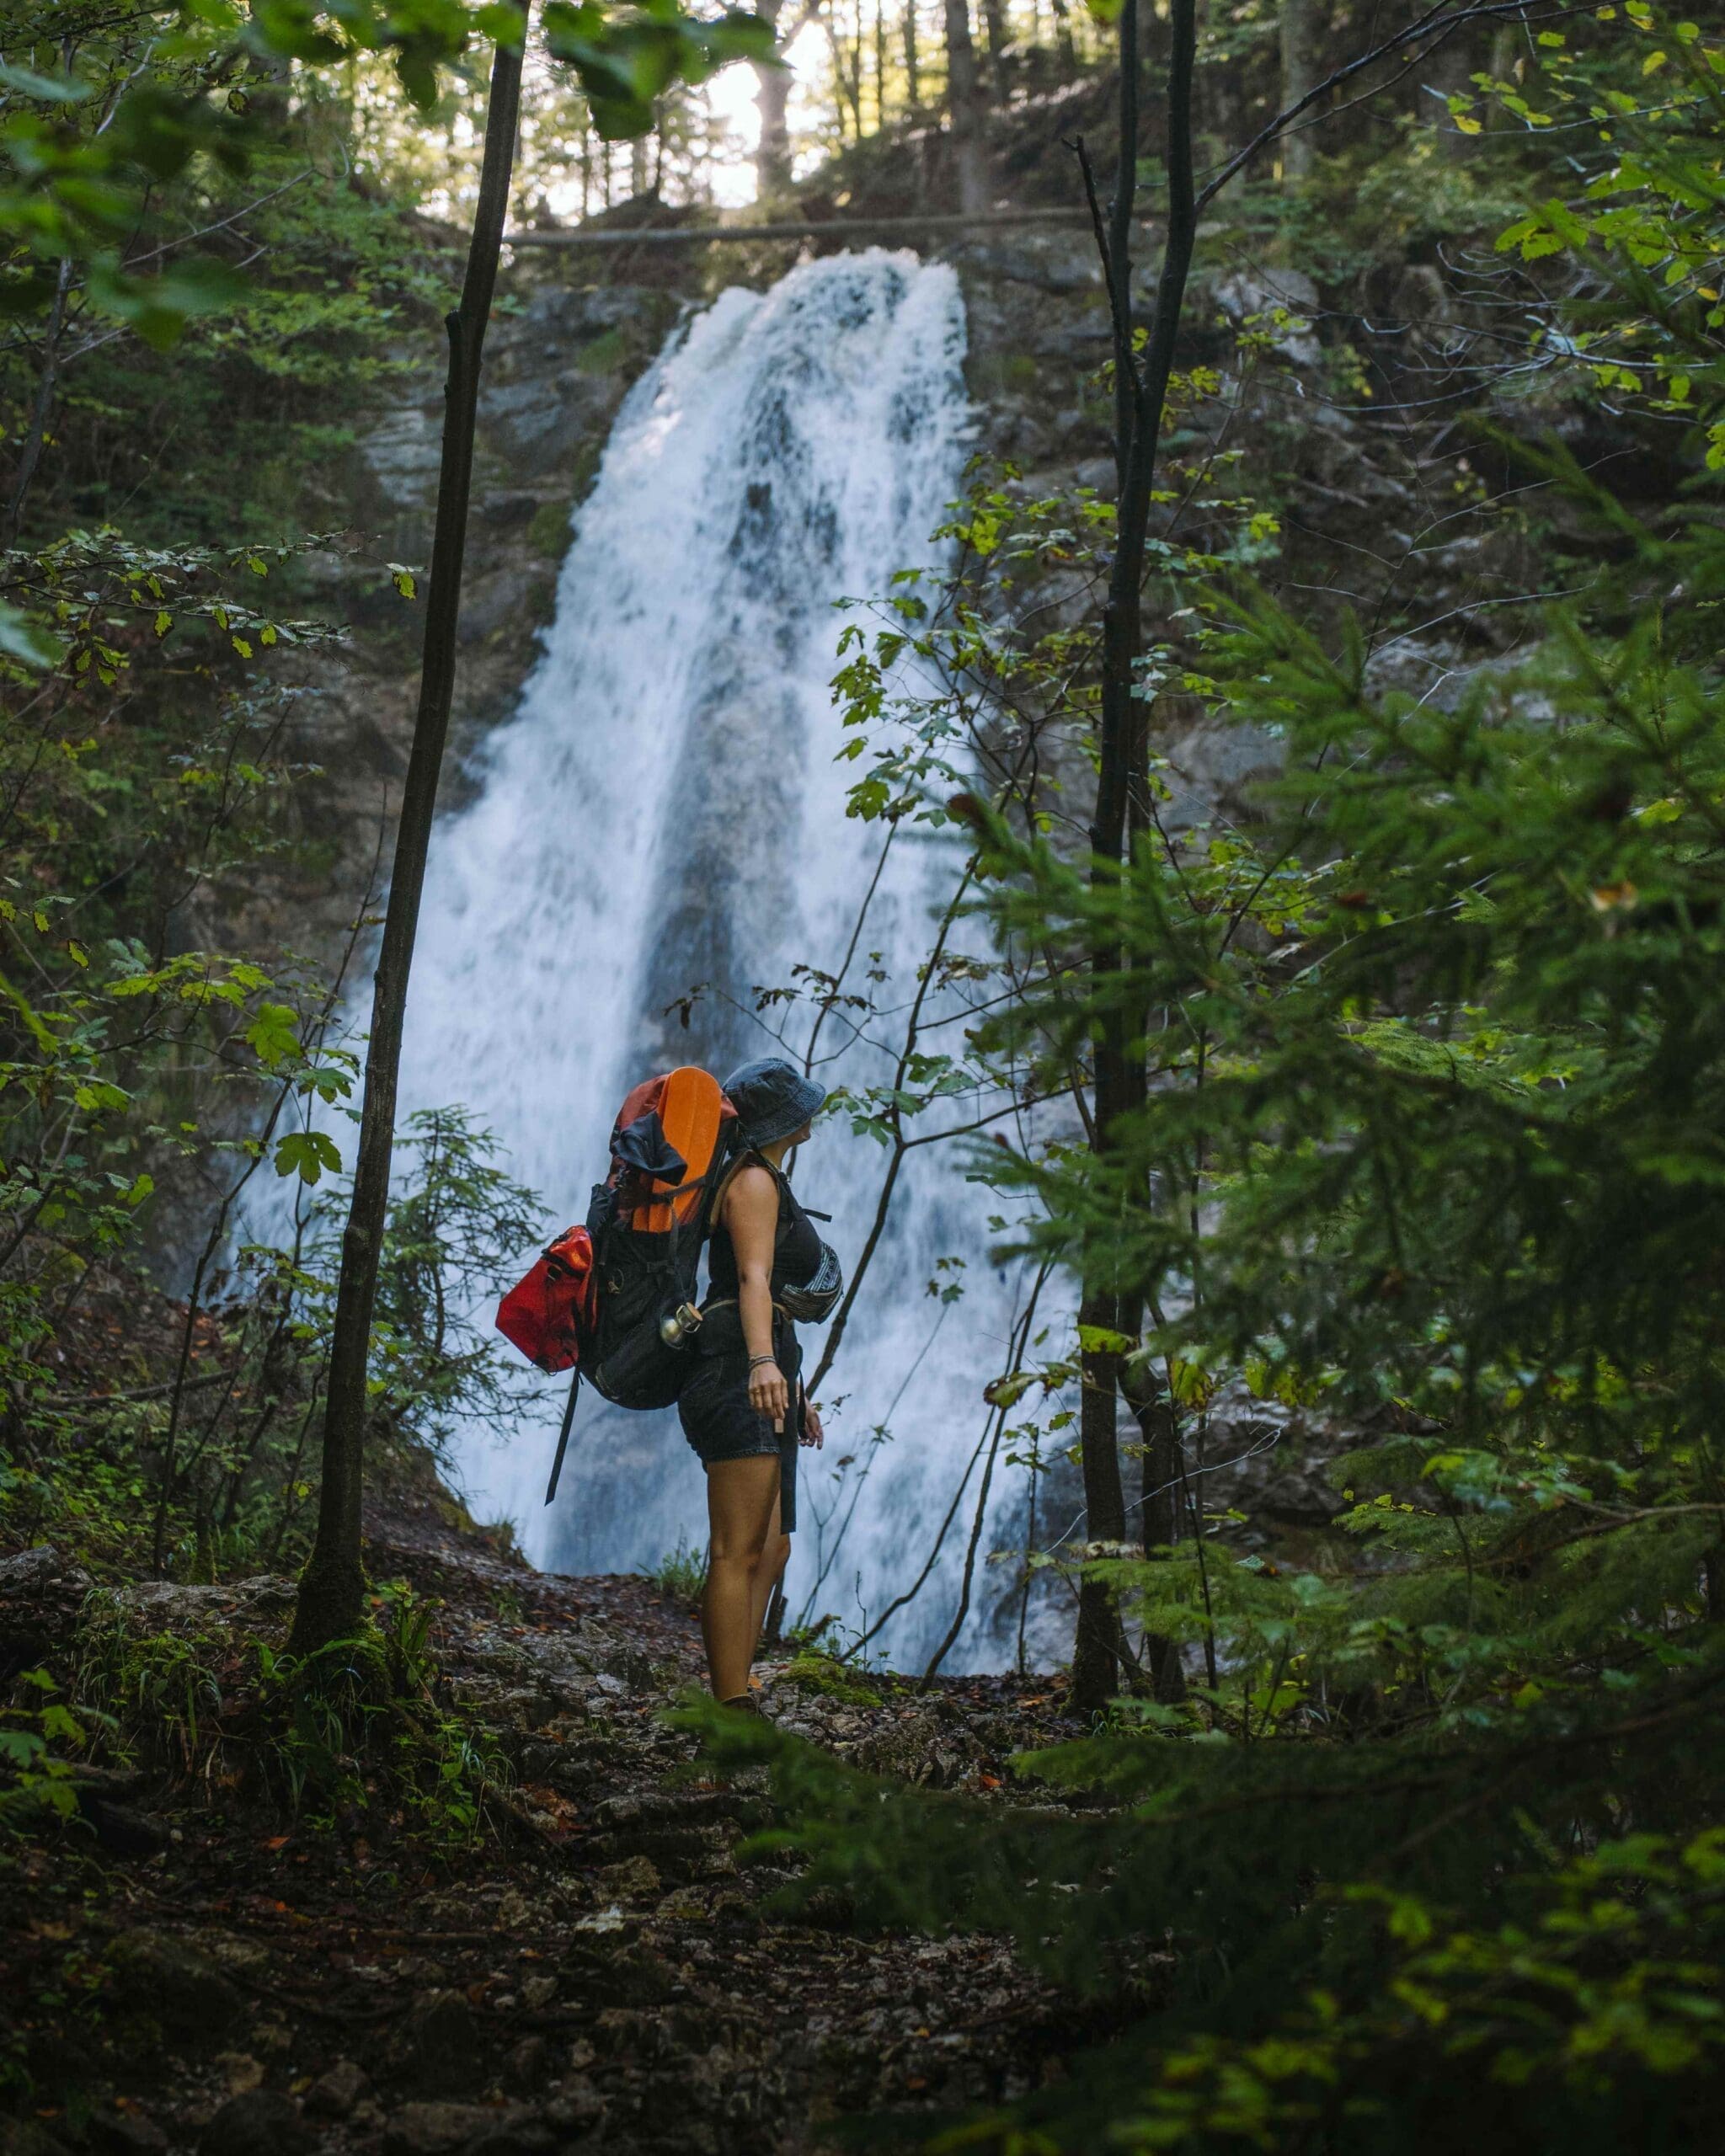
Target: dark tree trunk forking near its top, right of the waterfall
x=1120, y=1070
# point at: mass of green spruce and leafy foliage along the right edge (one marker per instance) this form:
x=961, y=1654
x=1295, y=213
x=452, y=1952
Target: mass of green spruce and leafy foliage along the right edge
x=1431, y=1152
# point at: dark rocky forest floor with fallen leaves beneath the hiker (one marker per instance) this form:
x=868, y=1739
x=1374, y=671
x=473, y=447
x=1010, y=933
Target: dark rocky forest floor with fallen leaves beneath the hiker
x=195, y=1965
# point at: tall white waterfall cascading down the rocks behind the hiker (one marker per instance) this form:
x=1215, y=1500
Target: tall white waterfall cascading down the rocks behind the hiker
x=665, y=812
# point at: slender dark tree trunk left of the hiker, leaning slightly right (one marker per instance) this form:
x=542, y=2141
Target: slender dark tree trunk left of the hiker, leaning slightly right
x=333, y=1586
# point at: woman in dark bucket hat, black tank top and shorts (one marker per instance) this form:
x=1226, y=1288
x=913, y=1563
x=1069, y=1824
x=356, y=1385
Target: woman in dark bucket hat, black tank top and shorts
x=743, y=1407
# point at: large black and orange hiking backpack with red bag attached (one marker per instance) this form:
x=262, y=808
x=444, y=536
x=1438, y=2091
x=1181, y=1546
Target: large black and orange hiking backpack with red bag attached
x=616, y=1299
